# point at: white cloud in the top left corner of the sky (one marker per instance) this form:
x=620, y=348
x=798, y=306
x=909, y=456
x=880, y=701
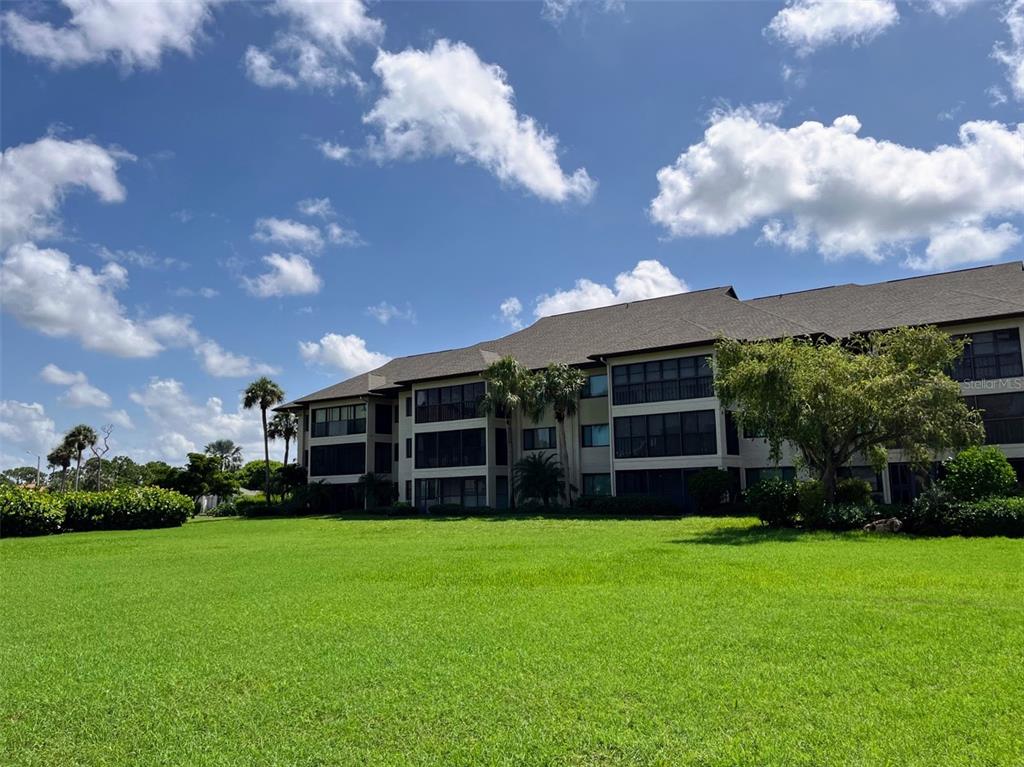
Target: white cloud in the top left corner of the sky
x=136, y=33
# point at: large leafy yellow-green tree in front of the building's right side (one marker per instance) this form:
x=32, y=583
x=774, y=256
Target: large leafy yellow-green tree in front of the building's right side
x=862, y=397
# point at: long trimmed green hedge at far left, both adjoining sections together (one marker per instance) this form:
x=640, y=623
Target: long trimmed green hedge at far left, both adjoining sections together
x=29, y=513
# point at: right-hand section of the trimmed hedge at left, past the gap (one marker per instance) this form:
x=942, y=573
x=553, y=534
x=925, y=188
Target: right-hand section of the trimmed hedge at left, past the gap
x=126, y=508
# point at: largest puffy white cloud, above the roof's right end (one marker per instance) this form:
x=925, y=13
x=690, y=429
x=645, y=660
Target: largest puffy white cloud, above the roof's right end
x=826, y=187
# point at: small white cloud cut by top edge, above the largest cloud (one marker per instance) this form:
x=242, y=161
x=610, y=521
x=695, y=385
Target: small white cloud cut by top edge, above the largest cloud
x=809, y=25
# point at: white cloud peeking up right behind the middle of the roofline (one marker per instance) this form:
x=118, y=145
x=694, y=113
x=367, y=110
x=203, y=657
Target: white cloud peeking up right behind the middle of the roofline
x=649, y=279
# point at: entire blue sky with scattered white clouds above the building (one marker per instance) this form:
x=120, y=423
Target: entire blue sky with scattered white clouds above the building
x=155, y=159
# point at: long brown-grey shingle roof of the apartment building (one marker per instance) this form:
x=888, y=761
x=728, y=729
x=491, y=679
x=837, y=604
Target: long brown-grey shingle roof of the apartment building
x=701, y=317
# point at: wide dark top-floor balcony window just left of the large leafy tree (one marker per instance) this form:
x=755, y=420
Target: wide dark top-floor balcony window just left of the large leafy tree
x=684, y=378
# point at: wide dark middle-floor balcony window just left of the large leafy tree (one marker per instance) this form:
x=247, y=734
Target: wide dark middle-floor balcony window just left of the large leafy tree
x=691, y=434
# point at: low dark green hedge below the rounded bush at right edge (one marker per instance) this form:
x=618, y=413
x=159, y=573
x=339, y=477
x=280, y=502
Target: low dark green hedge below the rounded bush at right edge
x=936, y=513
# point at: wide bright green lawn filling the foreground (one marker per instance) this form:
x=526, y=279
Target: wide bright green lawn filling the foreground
x=526, y=643
